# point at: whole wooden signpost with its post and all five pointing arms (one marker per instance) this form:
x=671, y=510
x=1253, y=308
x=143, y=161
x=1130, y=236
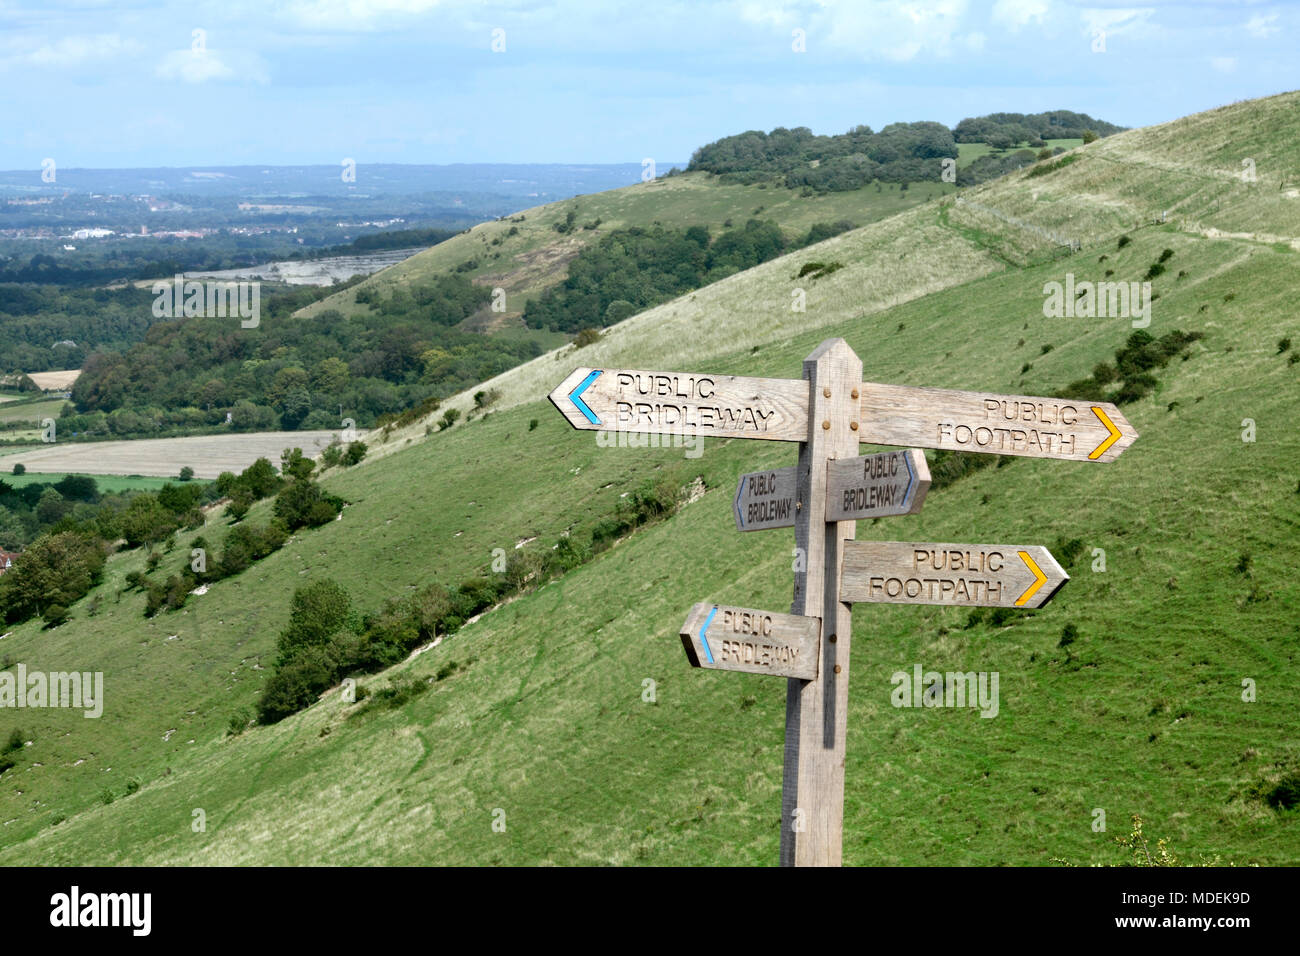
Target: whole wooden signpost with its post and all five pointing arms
x=829, y=412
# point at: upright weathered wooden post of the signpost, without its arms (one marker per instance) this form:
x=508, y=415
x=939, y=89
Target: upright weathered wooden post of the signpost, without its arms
x=817, y=711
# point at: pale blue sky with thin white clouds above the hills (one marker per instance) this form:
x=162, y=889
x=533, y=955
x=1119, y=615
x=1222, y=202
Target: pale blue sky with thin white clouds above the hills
x=128, y=84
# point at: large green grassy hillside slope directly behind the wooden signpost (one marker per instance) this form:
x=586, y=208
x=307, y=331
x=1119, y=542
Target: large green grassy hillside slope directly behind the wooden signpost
x=544, y=713
